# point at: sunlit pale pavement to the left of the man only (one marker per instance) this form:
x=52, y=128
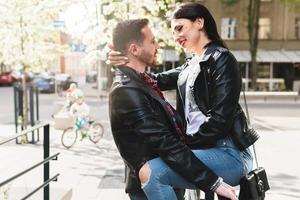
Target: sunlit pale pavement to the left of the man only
x=86, y=170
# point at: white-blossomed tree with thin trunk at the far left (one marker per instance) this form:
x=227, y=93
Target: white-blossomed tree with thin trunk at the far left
x=28, y=39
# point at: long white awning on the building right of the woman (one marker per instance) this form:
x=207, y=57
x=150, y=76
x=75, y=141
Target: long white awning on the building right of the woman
x=269, y=56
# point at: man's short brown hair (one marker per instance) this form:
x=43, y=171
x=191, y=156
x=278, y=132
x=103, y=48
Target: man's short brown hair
x=128, y=31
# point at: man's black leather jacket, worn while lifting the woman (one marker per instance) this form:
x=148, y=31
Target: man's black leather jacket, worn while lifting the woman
x=142, y=129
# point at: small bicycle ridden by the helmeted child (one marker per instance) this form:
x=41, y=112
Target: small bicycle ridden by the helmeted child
x=93, y=130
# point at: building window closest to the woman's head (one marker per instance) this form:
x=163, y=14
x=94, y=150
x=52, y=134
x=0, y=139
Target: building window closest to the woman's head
x=228, y=29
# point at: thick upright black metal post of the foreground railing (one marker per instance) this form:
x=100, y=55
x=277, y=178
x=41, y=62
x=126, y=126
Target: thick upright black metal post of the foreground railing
x=46, y=165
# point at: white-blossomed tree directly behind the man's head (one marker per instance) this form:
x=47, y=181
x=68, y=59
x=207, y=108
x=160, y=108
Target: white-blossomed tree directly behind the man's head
x=111, y=12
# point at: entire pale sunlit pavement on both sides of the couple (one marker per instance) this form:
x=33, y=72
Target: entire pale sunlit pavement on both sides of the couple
x=96, y=172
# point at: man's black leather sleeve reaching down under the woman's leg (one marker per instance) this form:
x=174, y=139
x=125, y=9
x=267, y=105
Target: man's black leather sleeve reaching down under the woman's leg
x=135, y=110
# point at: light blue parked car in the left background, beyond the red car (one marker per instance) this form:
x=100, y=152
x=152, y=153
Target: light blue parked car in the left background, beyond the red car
x=44, y=83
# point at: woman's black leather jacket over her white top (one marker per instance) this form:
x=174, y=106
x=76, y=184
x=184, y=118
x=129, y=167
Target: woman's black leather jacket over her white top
x=216, y=91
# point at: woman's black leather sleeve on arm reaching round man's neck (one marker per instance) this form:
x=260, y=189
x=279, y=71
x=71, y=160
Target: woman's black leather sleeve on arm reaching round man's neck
x=168, y=80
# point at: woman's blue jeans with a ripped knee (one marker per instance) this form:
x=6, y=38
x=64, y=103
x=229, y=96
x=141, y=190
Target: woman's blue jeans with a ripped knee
x=224, y=159
